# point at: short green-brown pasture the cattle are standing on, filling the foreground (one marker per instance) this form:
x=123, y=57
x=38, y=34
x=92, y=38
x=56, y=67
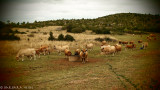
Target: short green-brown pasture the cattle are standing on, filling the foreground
x=128, y=69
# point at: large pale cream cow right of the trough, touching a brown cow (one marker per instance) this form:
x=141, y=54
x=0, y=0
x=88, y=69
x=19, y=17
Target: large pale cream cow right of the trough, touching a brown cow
x=109, y=50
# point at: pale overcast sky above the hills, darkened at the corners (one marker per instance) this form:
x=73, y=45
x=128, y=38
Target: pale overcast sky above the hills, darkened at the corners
x=42, y=10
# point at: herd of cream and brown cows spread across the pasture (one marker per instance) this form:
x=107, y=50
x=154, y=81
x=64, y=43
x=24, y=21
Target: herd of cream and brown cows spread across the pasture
x=105, y=48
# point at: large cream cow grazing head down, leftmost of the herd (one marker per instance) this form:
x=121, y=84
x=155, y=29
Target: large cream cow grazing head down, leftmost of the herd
x=29, y=52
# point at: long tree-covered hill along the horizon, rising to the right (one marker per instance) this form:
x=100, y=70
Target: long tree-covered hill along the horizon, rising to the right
x=121, y=22
